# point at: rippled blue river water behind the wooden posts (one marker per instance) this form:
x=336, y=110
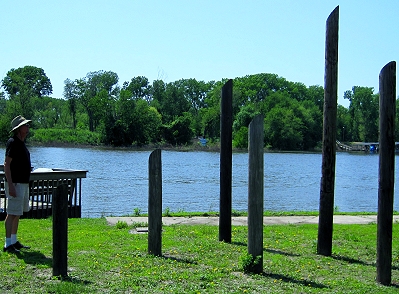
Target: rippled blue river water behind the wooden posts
x=117, y=180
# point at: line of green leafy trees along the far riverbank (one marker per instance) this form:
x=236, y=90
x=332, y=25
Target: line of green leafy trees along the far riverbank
x=95, y=109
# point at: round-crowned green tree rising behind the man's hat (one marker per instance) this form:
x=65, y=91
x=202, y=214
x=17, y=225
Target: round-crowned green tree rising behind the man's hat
x=21, y=85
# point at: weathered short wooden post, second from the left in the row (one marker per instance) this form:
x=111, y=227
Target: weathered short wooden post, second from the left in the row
x=155, y=203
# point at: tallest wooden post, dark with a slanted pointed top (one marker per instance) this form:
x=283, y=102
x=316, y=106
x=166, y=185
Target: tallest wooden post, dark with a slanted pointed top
x=326, y=208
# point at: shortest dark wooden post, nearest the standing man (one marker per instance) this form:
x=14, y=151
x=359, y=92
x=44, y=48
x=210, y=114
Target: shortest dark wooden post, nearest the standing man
x=60, y=231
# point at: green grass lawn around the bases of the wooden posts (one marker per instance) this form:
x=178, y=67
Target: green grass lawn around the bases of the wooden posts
x=110, y=259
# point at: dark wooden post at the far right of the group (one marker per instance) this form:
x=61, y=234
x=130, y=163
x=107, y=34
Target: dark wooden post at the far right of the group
x=386, y=180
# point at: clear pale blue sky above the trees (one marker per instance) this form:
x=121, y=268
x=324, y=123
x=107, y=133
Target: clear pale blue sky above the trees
x=206, y=40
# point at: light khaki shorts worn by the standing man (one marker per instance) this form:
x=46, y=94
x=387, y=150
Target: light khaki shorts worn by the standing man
x=20, y=204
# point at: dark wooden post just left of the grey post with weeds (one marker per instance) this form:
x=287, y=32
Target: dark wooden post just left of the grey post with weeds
x=226, y=159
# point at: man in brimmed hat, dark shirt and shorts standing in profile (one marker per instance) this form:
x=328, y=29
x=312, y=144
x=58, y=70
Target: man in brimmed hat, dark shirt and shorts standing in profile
x=17, y=168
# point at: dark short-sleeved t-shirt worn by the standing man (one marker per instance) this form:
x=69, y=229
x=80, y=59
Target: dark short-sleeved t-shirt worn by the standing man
x=20, y=165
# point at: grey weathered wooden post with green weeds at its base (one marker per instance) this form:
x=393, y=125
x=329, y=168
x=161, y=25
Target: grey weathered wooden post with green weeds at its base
x=255, y=192
